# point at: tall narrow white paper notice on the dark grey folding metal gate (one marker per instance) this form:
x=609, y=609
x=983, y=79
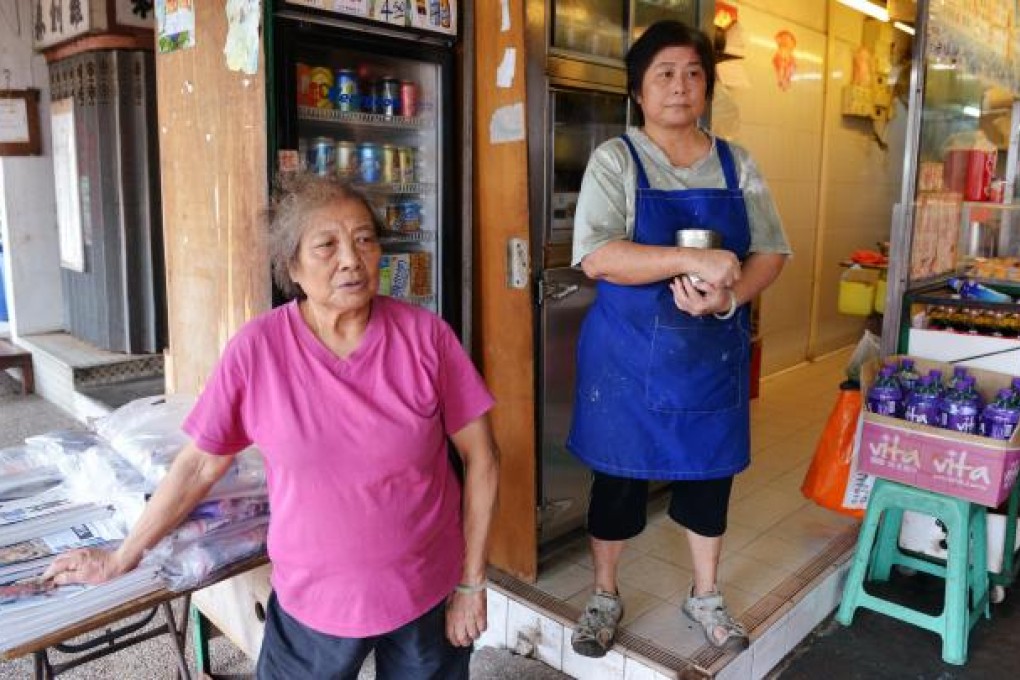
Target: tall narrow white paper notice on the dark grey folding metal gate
x=66, y=185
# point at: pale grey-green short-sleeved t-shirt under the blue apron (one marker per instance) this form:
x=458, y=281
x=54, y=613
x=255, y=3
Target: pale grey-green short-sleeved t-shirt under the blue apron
x=606, y=203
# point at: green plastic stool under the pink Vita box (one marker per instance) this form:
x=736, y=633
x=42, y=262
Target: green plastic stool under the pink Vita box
x=965, y=570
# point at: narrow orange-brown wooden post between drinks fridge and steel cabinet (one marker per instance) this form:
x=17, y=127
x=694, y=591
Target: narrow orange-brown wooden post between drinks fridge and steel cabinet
x=504, y=316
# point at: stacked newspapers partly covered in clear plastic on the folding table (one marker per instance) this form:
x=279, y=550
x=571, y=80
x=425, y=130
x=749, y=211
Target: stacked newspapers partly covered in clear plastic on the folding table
x=70, y=490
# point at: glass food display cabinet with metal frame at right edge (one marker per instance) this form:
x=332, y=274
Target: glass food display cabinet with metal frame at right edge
x=957, y=221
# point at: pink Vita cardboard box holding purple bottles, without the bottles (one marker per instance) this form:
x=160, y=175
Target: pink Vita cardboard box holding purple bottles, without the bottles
x=967, y=466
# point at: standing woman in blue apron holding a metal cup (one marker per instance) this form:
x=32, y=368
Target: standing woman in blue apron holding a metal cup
x=664, y=359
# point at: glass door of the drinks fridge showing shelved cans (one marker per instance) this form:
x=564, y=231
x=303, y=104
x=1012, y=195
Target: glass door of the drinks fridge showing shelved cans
x=372, y=119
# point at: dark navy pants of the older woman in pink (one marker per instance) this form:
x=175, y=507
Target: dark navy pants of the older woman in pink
x=418, y=651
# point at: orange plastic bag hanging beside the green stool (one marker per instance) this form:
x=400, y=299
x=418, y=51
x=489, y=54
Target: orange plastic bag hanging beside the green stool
x=828, y=478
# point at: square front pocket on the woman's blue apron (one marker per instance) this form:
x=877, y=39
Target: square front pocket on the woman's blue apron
x=698, y=369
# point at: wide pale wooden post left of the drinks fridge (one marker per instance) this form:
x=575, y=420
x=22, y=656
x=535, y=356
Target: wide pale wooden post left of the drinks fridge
x=213, y=139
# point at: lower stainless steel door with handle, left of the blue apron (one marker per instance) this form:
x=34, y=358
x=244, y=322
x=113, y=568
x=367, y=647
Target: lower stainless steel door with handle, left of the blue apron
x=568, y=294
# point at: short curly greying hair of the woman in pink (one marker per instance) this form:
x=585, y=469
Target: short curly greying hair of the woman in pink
x=295, y=198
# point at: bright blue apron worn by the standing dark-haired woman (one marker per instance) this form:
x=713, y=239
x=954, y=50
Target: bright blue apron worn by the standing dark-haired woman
x=660, y=394
